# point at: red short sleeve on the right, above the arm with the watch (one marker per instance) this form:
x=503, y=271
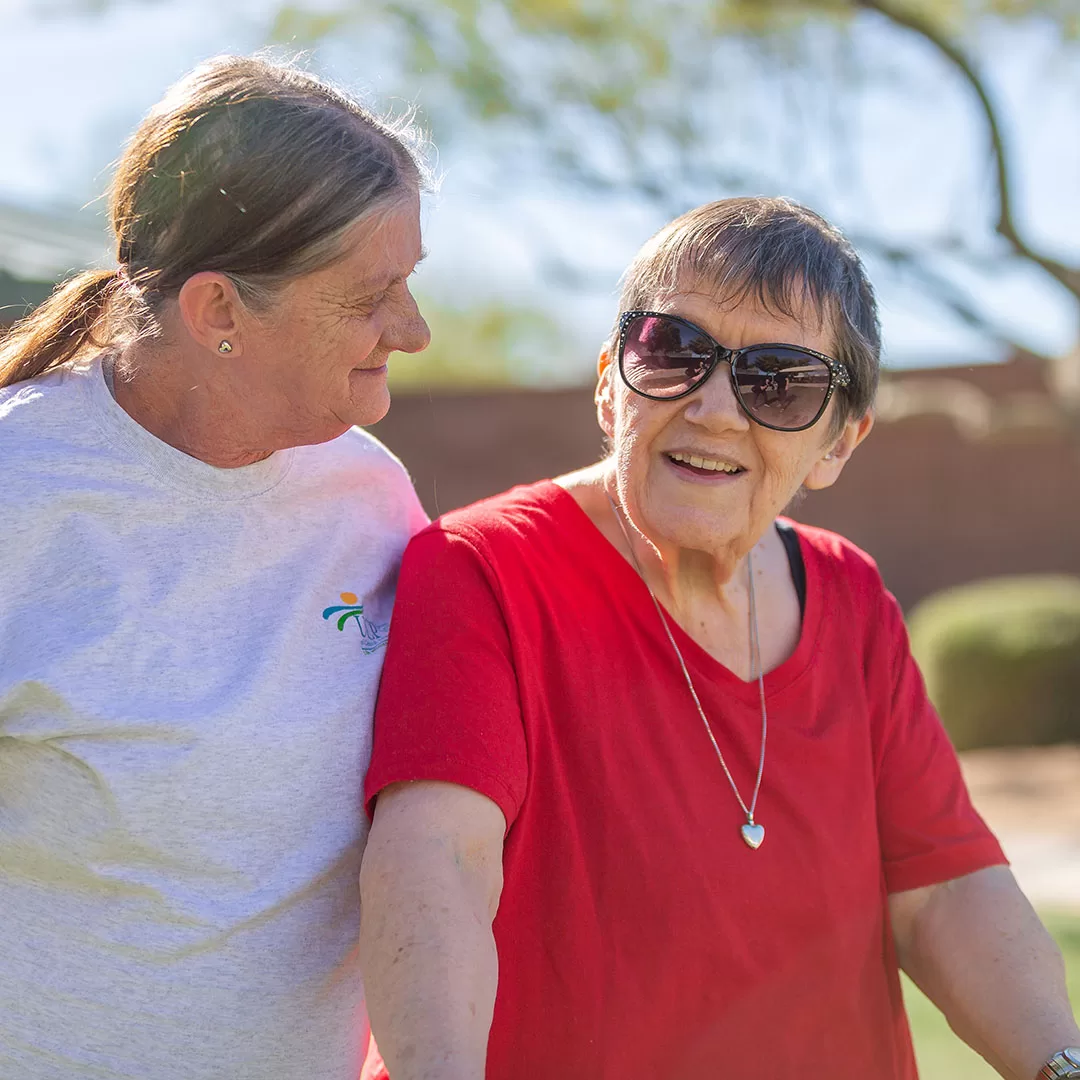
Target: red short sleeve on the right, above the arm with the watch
x=929, y=830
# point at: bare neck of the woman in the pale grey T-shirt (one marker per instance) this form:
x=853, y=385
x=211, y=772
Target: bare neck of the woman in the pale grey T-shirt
x=190, y=402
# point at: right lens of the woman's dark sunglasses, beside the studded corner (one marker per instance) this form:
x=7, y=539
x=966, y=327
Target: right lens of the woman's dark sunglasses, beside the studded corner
x=784, y=387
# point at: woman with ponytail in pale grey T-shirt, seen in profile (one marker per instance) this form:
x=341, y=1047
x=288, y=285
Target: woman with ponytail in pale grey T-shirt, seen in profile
x=200, y=551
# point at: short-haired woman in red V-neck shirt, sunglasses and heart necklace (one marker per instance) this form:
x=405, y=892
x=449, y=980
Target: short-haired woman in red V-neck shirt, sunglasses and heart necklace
x=659, y=790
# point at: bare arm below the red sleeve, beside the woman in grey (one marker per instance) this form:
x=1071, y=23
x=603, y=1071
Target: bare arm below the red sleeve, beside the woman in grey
x=430, y=886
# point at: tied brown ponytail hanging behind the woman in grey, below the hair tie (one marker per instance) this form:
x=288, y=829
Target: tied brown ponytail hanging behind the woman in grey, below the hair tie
x=62, y=328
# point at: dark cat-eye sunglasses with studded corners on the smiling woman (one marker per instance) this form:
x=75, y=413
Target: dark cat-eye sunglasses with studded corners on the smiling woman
x=782, y=387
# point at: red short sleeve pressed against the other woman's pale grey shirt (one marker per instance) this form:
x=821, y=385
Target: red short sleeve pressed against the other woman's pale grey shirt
x=449, y=706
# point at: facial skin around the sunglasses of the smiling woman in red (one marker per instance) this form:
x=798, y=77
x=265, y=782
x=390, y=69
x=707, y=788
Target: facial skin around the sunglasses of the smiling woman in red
x=677, y=506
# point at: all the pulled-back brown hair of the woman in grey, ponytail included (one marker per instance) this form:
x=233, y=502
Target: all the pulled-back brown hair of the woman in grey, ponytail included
x=249, y=168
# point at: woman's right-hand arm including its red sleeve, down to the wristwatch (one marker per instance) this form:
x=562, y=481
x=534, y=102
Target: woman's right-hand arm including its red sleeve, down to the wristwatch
x=971, y=942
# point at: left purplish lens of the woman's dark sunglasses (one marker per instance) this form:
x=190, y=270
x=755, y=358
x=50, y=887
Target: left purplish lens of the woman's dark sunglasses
x=664, y=357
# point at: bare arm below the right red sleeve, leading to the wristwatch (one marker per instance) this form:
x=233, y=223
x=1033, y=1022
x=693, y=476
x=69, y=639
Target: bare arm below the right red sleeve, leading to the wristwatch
x=977, y=949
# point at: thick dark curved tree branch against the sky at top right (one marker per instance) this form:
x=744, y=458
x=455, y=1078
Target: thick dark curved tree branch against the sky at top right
x=1006, y=227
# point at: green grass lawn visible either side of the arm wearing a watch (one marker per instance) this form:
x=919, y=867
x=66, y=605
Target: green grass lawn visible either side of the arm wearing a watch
x=940, y=1054
